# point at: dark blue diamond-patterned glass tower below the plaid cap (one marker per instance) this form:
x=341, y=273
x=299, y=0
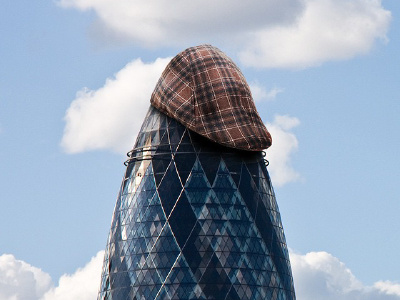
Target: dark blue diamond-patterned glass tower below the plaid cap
x=194, y=220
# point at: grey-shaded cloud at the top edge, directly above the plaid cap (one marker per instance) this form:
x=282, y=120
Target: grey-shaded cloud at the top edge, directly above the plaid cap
x=160, y=23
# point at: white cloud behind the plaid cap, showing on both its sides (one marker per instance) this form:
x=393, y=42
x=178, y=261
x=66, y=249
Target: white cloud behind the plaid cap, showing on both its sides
x=110, y=117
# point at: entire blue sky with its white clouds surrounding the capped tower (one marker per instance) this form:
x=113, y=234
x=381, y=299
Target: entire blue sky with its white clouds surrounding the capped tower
x=73, y=91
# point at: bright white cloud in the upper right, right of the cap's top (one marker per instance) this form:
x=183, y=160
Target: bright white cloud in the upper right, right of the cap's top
x=326, y=30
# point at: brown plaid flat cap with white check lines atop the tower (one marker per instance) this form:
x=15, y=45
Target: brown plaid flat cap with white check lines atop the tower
x=204, y=90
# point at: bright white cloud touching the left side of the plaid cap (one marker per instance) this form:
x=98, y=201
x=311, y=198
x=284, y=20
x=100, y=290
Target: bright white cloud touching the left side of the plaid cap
x=110, y=117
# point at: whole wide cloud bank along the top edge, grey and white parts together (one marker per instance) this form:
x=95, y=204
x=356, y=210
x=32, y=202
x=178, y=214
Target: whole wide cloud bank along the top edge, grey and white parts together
x=266, y=33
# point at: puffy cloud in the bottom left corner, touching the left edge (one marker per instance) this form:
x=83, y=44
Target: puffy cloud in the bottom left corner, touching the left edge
x=19, y=280
